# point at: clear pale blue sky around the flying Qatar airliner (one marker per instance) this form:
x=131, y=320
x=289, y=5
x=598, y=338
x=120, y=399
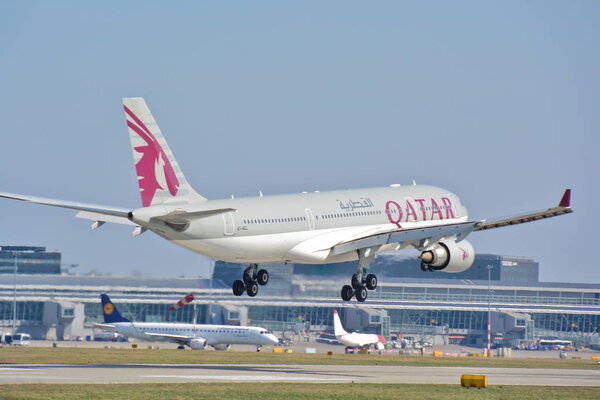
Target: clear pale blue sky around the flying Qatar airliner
x=495, y=101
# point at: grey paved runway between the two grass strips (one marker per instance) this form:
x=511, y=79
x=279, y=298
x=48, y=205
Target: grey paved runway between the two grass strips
x=166, y=373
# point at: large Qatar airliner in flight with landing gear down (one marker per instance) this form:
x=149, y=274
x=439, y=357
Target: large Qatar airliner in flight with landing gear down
x=309, y=228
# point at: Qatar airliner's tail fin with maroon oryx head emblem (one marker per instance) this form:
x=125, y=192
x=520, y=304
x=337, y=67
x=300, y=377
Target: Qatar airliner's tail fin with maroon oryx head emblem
x=159, y=176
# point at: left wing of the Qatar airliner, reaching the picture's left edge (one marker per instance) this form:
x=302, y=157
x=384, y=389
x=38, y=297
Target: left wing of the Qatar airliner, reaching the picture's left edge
x=90, y=211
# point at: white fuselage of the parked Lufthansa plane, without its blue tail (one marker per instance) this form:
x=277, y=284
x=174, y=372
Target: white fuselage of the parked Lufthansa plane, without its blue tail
x=213, y=334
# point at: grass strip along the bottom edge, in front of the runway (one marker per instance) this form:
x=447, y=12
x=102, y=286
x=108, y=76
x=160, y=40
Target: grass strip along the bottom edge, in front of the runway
x=291, y=391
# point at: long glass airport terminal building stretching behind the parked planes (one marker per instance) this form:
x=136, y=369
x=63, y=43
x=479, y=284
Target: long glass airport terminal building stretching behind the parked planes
x=299, y=300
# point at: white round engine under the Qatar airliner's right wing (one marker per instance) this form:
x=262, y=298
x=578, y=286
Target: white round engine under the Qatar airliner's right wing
x=449, y=256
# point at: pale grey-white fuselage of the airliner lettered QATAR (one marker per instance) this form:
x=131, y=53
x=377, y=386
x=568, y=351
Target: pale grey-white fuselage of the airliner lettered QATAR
x=303, y=227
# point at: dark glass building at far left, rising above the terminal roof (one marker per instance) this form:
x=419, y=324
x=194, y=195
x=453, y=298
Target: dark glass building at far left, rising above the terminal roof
x=29, y=259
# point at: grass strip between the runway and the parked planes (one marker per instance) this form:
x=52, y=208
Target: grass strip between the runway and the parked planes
x=72, y=355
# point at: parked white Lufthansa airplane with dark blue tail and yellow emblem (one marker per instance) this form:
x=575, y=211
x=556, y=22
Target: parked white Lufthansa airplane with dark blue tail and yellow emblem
x=196, y=336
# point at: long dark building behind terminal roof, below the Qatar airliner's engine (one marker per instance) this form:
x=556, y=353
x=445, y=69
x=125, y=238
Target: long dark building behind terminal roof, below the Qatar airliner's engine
x=503, y=269
